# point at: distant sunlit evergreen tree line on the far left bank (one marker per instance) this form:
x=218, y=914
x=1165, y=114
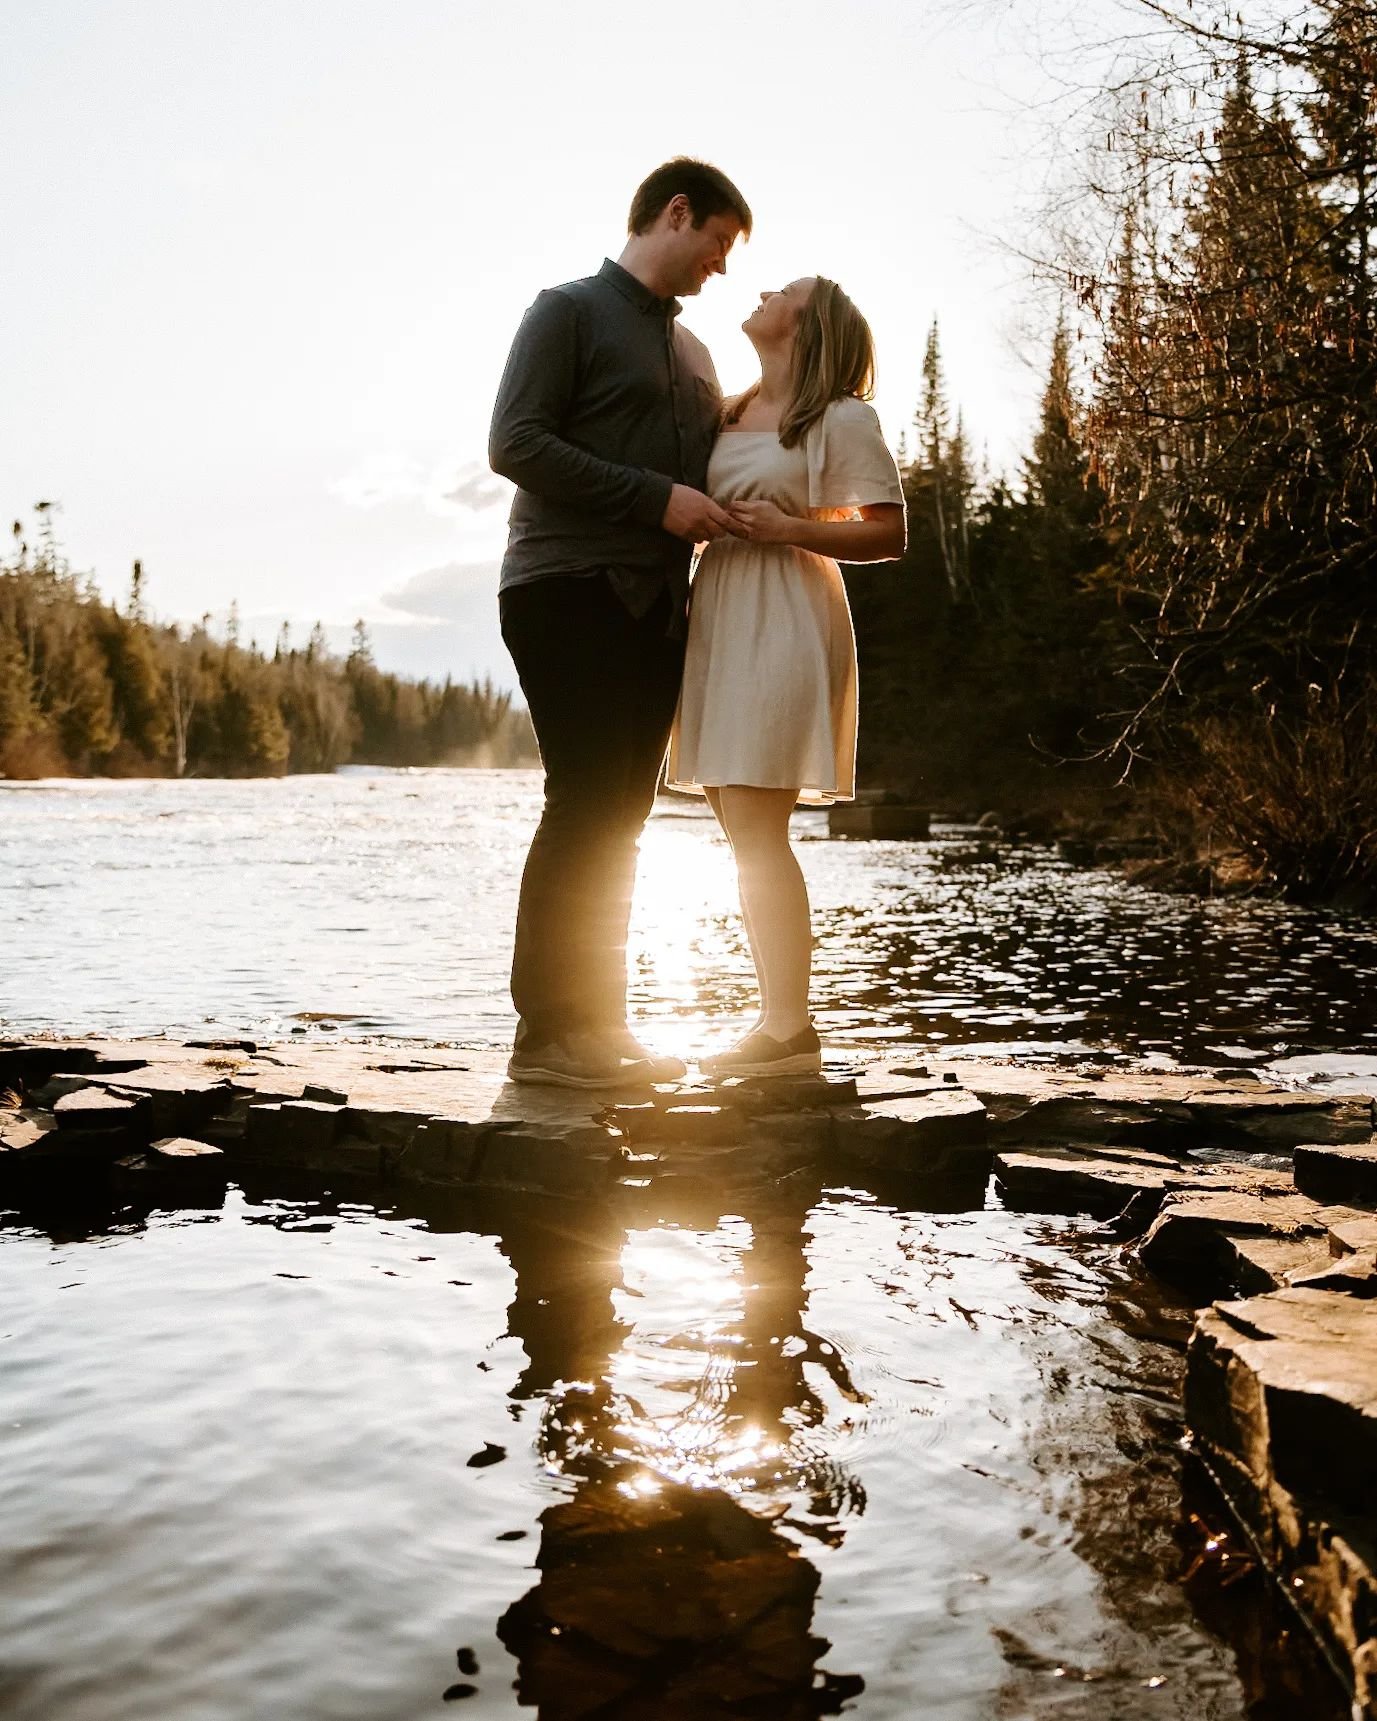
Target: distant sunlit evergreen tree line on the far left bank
x=97, y=689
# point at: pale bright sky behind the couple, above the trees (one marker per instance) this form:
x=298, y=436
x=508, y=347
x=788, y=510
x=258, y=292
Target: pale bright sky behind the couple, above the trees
x=264, y=261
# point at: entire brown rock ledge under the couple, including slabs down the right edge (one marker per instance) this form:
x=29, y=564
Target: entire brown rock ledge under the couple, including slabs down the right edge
x=1261, y=1204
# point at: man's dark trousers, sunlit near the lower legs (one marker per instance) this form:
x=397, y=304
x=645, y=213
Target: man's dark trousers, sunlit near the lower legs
x=602, y=686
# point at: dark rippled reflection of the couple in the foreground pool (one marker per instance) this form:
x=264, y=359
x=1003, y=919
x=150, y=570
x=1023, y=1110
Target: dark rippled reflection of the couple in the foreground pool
x=662, y=1598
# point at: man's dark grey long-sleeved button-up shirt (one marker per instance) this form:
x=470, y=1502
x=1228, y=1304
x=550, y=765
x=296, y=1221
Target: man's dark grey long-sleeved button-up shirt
x=605, y=404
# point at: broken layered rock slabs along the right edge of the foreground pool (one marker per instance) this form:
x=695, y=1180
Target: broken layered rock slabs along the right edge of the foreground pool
x=1281, y=1391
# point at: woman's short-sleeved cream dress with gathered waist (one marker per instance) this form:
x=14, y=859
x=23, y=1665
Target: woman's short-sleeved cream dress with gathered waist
x=770, y=674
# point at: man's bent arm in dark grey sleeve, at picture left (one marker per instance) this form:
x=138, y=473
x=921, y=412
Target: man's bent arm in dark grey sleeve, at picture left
x=534, y=398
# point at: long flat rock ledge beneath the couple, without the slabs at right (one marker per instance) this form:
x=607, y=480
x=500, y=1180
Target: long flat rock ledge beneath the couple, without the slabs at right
x=443, y=1118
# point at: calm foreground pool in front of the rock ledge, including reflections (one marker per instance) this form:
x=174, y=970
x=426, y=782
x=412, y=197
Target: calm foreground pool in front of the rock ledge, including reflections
x=789, y=1452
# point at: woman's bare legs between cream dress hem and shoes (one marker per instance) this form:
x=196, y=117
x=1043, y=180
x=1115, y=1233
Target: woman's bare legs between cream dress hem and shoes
x=774, y=901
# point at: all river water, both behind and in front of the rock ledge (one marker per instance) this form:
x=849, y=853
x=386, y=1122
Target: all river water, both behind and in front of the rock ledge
x=775, y=1450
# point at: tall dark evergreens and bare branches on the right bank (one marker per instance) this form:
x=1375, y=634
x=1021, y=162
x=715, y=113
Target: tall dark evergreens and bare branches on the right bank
x=1168, y=626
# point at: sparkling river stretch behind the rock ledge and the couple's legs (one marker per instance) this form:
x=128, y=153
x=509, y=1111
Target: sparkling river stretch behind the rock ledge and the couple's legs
x=383, y=901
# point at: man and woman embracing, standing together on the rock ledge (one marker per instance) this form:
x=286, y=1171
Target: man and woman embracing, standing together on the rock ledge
x=626, y=457
